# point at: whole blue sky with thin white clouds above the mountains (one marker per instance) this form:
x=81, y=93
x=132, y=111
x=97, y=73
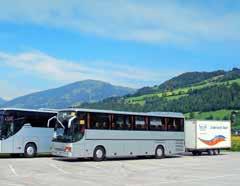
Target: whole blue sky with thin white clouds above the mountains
x=46, y=44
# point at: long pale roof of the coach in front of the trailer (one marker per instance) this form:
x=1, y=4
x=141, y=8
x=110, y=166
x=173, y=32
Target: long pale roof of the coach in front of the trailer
x=157, y=114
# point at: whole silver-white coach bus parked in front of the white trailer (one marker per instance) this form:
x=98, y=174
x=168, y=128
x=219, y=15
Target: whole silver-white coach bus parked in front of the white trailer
x=100, y=134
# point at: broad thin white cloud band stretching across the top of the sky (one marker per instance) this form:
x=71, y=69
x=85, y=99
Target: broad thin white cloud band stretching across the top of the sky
x=144, y=21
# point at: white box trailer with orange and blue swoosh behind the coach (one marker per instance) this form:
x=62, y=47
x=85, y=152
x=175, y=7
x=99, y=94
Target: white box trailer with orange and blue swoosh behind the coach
x=207, y=136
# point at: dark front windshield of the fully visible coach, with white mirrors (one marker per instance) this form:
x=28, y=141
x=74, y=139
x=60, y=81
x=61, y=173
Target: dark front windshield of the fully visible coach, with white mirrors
x=63, y=132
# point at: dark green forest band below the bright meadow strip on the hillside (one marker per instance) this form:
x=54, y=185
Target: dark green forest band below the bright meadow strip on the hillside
x=225, y=96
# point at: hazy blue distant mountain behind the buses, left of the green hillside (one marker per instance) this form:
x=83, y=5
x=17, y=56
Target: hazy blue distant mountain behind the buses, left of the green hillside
x=69, y=95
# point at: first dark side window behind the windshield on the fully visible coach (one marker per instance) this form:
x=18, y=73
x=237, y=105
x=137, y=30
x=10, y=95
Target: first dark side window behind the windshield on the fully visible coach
x=99, y=121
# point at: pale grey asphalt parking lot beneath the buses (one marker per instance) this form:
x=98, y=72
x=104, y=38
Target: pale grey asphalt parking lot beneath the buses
x=188, y=170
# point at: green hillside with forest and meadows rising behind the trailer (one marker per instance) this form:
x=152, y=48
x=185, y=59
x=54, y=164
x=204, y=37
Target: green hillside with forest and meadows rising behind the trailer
x=201, y=95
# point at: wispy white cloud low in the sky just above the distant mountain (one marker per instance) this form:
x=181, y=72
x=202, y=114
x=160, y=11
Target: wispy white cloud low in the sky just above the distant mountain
x=40, y=65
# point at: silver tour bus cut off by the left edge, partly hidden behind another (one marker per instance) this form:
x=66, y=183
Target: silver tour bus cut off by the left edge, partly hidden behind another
x=24, y=131
